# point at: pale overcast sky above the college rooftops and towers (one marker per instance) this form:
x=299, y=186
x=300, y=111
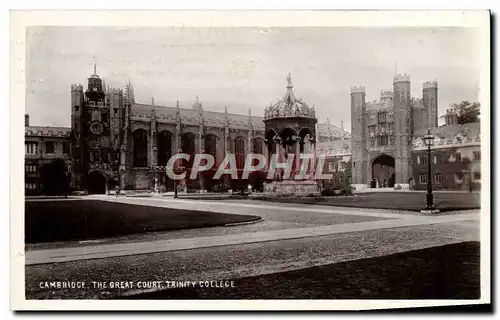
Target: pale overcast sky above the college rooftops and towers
x=244, y=68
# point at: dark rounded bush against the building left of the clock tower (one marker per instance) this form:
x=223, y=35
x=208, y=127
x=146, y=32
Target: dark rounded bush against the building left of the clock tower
x=54, y=178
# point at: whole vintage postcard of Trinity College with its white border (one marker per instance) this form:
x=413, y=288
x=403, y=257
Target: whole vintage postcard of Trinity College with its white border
x=293, y=160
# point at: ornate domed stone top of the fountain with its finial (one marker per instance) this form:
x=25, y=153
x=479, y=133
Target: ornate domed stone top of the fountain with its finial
x=289, y=106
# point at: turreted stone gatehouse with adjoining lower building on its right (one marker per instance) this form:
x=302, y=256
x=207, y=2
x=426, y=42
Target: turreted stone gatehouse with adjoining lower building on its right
x=387, y=143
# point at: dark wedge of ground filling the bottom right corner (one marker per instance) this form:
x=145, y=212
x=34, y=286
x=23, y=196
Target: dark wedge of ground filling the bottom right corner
x=445, y=272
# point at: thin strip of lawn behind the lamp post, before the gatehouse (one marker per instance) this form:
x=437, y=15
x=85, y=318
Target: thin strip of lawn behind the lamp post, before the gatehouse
x=413, y=201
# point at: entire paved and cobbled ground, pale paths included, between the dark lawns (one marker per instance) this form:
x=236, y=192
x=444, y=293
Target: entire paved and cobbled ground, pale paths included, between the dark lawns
x=290, y=237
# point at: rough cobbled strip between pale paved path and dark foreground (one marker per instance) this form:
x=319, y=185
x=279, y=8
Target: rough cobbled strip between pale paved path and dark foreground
x=230, y=262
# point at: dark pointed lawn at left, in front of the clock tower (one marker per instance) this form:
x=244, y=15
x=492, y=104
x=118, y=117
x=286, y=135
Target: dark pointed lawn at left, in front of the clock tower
x=49, y=221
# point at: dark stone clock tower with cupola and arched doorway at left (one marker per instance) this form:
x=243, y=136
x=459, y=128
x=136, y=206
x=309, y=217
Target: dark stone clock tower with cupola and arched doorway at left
x=95, y=129
